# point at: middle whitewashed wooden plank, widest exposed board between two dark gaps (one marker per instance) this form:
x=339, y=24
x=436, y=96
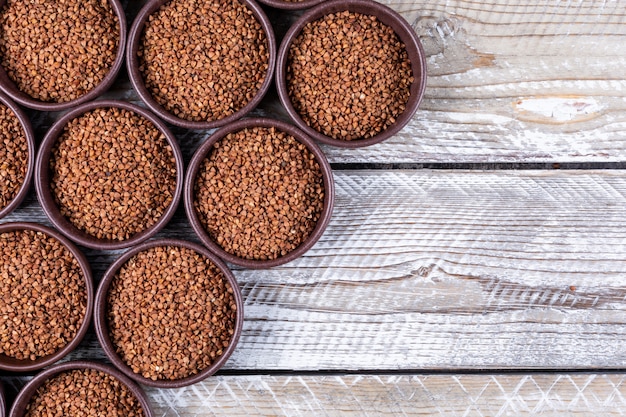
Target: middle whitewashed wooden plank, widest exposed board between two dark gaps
x=442, y=270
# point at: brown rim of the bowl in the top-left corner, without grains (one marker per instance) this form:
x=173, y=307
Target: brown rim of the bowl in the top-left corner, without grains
x=9, y=87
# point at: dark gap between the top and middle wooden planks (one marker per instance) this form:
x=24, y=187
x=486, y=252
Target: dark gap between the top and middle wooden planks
x=479, y=166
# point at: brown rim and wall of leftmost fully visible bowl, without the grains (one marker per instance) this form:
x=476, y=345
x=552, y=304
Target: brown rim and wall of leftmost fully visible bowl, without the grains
x=43, y=178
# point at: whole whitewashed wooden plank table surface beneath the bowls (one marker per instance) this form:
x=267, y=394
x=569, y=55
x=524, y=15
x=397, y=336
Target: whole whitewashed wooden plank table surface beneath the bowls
x=461, y=274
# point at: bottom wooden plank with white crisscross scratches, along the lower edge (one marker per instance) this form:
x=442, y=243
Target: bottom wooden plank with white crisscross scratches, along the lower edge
x=393, y=395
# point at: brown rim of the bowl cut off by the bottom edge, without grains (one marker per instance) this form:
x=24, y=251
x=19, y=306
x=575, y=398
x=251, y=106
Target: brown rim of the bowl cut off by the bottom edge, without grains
x=25, y=395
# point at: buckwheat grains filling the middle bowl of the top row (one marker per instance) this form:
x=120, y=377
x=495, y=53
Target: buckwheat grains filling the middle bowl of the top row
x=203, y=60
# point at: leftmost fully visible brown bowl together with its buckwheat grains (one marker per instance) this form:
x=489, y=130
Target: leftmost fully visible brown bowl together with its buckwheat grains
x=119, y=189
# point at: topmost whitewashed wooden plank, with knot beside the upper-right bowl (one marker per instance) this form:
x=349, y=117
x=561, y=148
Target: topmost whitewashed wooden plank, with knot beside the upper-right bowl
x=530, y=81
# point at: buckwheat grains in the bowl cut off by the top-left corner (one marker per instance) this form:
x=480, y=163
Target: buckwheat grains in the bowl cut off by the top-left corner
x=58, y=50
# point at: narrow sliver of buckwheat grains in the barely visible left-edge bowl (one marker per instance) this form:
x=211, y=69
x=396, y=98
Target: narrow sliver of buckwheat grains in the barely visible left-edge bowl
x=13, y=156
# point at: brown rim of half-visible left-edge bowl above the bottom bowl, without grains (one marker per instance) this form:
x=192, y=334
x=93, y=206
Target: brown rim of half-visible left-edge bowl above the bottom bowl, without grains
x=8, y=363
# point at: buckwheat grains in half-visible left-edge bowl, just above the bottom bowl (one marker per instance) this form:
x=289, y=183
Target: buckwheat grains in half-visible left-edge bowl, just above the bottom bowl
x=43, y=297
